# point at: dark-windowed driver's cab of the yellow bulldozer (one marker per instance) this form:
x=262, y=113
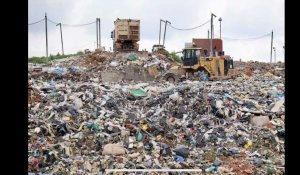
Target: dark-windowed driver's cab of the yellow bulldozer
x=191, y=56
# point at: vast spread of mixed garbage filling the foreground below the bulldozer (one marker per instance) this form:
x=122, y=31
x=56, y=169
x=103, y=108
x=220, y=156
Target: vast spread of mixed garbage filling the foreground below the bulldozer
x=79, y=125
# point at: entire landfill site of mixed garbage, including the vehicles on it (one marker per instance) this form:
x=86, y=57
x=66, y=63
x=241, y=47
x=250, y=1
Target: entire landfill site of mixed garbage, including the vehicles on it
x=131, y=109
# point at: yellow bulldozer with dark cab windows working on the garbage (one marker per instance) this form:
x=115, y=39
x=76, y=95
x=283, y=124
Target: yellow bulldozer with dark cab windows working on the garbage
x=201, y=66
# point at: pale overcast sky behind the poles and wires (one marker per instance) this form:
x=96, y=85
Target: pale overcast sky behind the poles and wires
x=240, y=20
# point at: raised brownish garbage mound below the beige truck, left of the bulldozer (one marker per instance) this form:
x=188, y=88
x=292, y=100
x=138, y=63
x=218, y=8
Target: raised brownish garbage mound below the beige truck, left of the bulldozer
x=109, y=67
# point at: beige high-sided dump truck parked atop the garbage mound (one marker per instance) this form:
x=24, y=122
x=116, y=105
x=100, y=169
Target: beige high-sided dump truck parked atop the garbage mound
x=126, y=35
